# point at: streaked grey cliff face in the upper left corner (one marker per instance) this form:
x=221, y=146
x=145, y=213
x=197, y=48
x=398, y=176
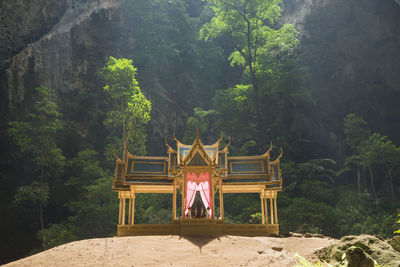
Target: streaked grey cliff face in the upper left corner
x=68, y=56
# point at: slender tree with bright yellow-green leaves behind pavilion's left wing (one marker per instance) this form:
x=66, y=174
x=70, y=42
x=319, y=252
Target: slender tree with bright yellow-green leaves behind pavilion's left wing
x=130, y=109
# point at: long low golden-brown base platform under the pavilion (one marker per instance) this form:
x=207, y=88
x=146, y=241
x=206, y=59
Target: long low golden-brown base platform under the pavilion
x=199, y=227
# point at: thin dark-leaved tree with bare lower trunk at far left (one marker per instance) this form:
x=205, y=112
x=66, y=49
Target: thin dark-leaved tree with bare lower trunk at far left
x=37, y=137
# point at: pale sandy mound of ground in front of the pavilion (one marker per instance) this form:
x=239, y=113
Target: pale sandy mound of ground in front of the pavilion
x=178, y=251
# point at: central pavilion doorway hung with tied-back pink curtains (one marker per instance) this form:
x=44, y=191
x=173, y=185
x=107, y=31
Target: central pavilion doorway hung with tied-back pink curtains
x=198, y=200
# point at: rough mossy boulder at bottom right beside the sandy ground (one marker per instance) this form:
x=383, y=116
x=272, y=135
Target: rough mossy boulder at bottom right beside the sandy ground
x=372, y=246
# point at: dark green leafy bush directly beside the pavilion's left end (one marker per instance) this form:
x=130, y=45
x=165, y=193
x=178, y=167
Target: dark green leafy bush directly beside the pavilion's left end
x=94, y=208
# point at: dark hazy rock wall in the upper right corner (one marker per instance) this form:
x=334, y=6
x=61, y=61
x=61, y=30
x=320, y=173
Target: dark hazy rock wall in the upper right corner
x=352, y=49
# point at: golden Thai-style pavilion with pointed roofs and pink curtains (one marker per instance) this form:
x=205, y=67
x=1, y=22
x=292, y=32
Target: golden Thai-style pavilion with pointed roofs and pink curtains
x=196, y=175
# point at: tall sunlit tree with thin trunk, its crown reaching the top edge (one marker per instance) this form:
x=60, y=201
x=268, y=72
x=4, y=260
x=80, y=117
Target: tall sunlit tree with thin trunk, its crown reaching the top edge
x=248, y=25
